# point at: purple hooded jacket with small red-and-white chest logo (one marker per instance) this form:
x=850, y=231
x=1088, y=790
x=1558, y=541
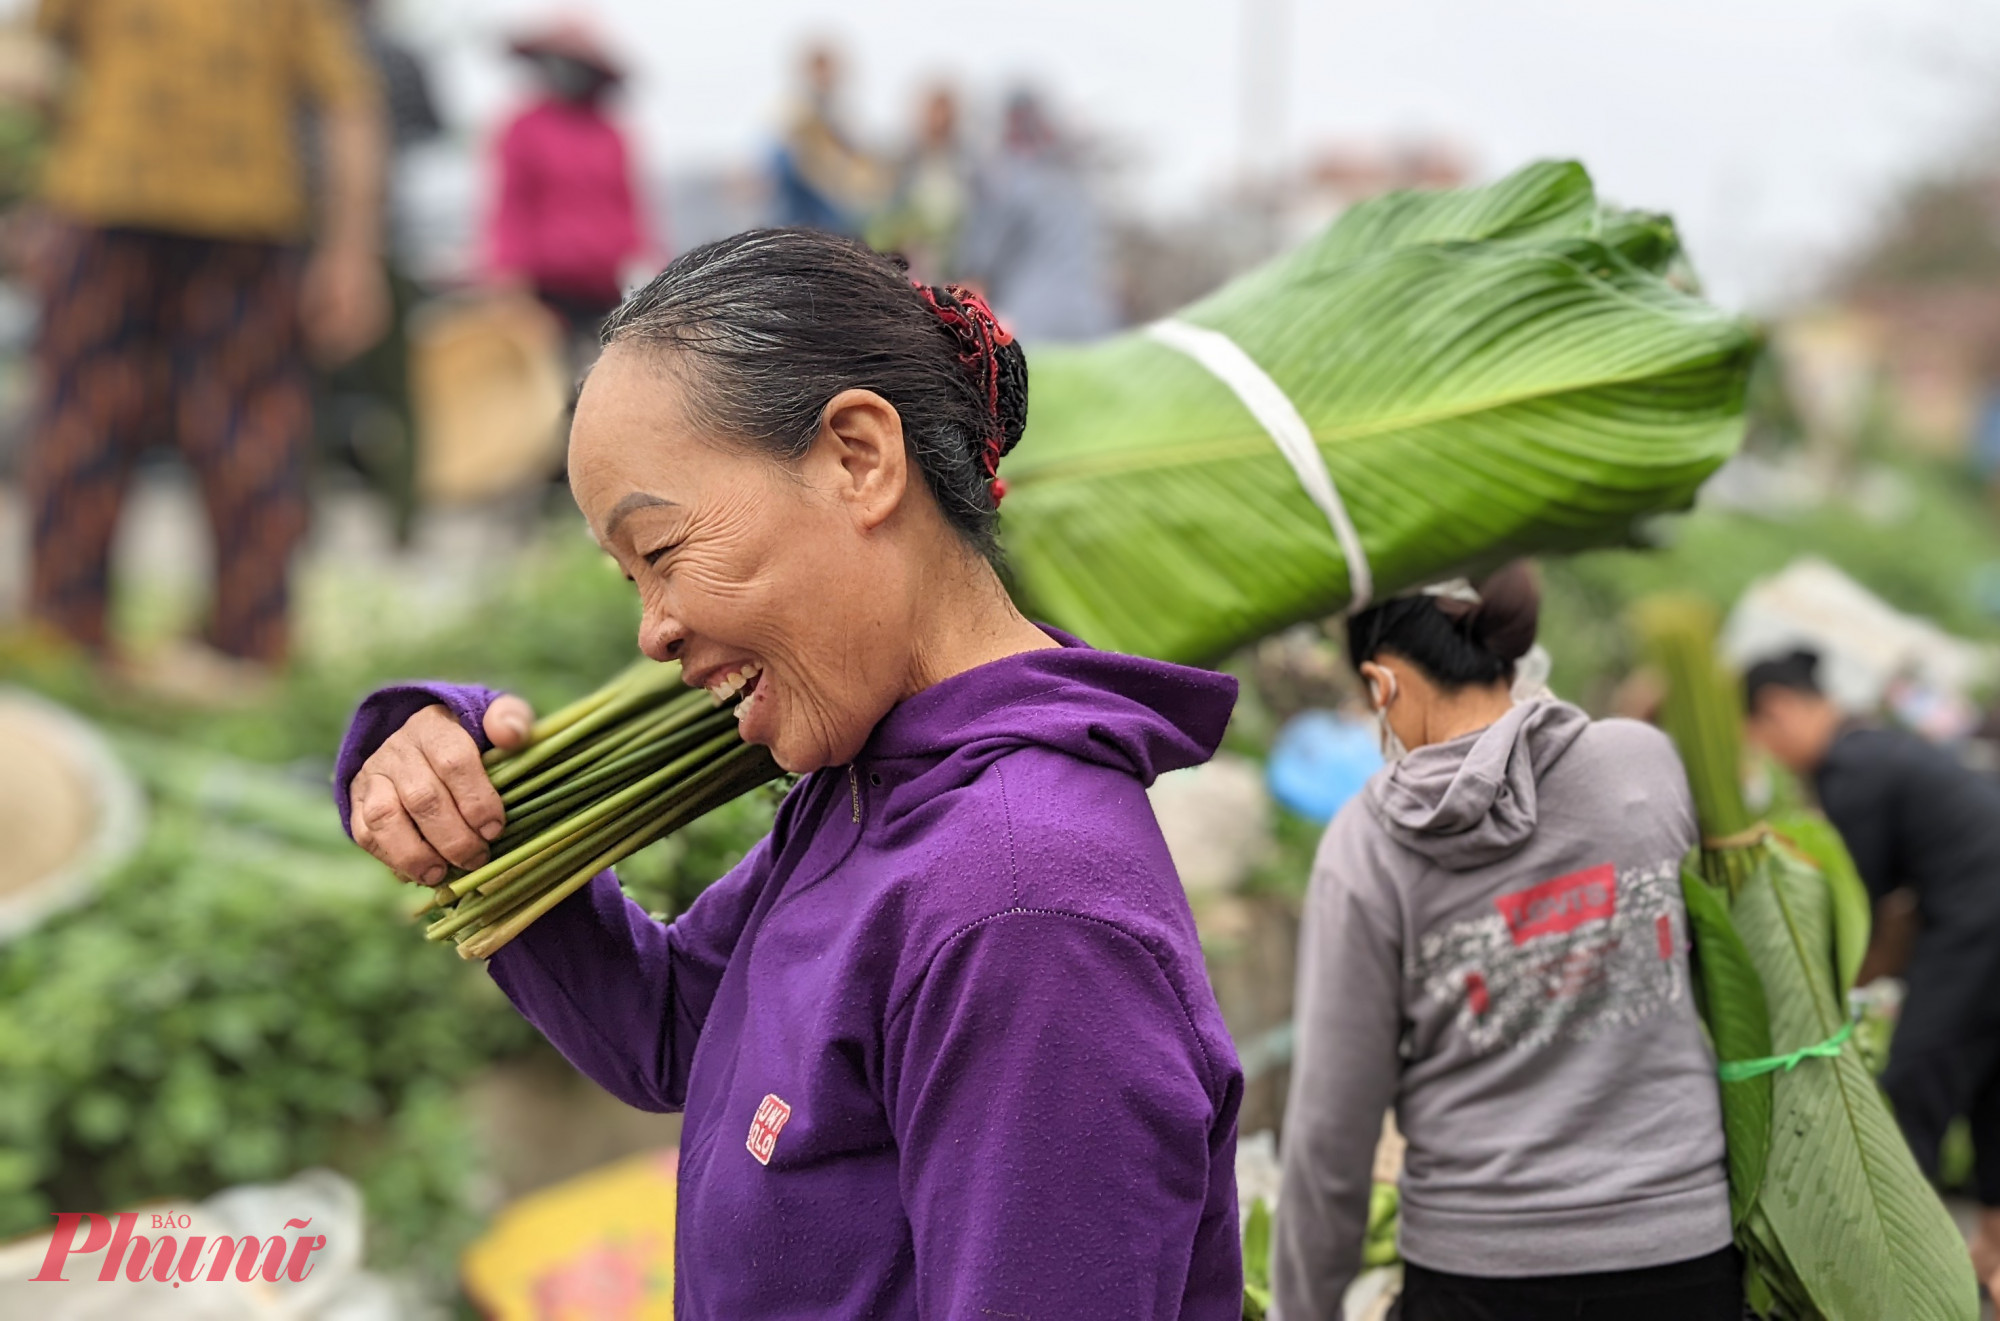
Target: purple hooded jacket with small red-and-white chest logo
x=945, y=1040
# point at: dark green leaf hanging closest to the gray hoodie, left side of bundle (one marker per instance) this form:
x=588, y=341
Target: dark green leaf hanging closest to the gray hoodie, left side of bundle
x=1739, y=1024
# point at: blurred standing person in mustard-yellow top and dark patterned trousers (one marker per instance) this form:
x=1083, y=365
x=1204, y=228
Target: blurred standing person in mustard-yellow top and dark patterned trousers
x=181, y=299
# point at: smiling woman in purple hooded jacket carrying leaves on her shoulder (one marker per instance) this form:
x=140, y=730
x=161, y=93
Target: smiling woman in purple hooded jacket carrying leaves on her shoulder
x=945, y=1042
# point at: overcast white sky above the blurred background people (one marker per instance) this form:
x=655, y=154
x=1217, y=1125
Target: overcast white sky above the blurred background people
x=1773, y=129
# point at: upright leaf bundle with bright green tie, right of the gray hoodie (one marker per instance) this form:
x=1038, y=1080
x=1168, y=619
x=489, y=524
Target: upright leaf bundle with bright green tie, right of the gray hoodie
x=1831, y=1210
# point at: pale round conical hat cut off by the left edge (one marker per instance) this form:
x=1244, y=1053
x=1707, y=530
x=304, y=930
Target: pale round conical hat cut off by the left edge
x=69, y=810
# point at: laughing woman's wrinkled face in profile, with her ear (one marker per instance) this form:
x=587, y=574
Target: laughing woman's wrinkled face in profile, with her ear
x=779, y=581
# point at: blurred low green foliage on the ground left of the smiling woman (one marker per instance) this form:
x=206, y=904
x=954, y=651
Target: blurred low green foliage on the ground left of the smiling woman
x=247, y=998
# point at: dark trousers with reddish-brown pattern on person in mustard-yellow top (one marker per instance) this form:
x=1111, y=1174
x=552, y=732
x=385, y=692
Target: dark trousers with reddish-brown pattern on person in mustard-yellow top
x=161, y=339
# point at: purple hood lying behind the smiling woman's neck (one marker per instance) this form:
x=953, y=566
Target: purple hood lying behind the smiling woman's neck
x=1135, y=716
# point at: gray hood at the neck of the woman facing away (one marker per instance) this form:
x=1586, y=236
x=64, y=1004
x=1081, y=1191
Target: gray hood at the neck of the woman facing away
x=1473, y=802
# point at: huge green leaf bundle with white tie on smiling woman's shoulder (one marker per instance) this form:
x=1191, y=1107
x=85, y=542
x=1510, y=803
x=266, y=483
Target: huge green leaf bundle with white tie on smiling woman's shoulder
x=1487, y=373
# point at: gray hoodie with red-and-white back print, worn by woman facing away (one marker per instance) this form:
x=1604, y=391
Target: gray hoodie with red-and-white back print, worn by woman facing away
x=1495, y=946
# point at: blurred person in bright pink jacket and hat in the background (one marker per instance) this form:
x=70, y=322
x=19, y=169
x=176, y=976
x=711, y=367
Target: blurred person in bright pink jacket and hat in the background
x=567, y=221
